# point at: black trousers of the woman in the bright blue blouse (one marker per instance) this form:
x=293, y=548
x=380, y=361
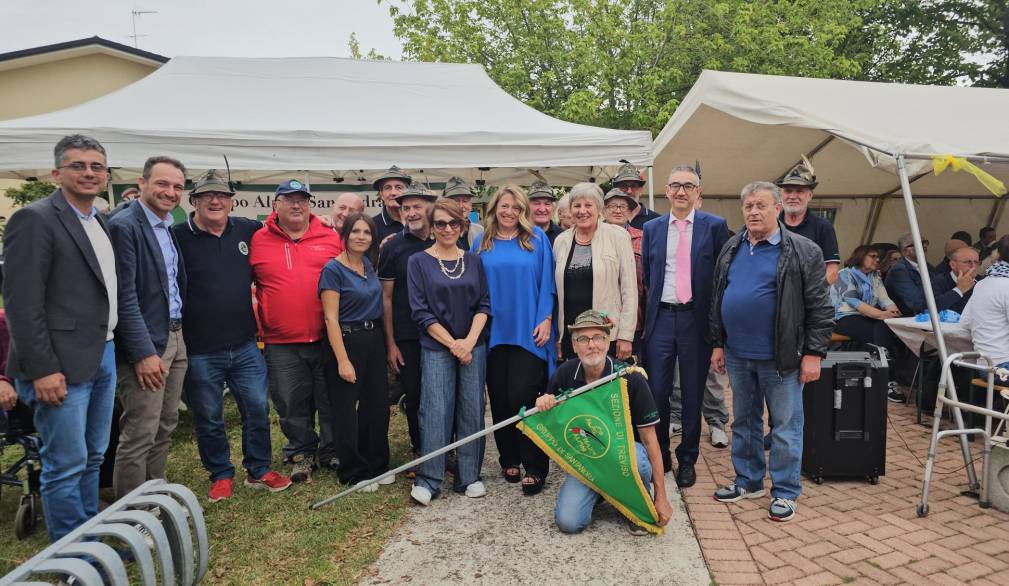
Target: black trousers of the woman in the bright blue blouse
x=515, y=379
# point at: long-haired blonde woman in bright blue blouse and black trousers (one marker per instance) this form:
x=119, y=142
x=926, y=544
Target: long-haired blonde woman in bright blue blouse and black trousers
x=519, y=263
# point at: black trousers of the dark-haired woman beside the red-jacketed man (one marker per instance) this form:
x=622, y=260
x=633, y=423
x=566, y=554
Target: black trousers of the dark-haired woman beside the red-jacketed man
x=360, y=410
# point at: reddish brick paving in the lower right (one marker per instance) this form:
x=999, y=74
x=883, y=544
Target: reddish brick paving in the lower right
x=851, y=532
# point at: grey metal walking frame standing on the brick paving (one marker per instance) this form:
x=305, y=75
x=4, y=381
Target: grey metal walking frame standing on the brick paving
x=979, y=490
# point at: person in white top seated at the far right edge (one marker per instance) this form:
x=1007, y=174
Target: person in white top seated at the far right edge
x=987, y=316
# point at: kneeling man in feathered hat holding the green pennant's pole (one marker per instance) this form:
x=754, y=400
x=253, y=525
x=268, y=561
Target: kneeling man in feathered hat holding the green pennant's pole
x=576, y=502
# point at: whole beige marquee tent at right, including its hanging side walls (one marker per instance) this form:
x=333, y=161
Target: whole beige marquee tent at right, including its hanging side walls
x=744, y=128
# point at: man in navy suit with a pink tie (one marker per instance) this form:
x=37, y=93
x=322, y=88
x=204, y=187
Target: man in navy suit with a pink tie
x=677, y=314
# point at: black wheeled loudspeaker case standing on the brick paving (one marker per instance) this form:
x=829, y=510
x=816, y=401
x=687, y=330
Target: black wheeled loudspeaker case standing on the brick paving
x=845, y=431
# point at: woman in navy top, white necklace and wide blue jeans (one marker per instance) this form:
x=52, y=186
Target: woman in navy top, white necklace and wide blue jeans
x=451, y=303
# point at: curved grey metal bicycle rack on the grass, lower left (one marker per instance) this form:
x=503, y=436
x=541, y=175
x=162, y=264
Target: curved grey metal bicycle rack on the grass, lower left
x=168, y=515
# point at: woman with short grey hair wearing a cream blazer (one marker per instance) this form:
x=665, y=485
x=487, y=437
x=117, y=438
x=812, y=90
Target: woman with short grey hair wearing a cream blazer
x=596, y=270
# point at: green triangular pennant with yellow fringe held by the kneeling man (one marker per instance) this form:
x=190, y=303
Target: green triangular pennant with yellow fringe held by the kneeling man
x=591, y=436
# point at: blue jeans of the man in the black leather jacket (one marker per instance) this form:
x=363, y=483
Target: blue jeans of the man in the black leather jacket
x=754, y=384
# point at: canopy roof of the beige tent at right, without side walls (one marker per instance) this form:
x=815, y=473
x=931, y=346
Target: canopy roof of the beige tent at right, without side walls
x=745, y=128
